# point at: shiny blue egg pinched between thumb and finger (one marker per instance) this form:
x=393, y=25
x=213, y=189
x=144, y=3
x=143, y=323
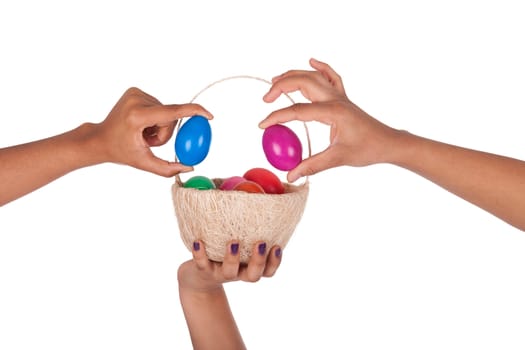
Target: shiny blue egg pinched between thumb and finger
x=192, y=142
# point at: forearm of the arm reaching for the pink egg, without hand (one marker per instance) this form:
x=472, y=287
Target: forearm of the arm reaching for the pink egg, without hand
x=491, y=182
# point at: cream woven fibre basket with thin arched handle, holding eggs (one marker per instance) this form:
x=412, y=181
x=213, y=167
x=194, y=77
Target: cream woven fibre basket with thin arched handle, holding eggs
x=216, y=217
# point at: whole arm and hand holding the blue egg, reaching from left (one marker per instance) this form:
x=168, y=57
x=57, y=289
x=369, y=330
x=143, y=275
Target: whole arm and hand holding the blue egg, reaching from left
x=137, y=122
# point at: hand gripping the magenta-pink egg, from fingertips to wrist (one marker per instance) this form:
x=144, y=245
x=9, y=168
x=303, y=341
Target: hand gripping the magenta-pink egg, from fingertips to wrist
x=356, y=138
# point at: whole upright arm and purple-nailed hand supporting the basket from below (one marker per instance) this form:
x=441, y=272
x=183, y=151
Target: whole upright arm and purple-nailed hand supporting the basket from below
x=208, y=315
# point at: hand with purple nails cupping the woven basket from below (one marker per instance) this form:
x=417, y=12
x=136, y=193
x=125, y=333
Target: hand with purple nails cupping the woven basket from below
x=203, y=275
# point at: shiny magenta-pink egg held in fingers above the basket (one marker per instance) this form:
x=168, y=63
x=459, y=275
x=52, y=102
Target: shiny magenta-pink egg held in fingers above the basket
x=282, y=147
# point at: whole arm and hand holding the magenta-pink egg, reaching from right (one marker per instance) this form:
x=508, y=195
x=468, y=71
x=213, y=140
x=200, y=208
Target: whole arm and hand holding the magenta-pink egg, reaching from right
x=492, y=182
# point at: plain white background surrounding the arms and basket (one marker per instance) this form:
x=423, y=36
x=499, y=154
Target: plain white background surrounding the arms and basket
x=382, y=259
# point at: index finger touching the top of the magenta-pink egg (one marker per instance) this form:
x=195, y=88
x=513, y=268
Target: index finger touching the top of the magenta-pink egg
x=300, y=111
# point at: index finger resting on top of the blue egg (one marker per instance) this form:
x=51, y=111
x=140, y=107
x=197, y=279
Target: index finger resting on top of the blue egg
x=164, y=114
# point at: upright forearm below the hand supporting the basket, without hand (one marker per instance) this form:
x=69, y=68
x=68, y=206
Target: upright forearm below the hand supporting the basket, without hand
x=210, y=320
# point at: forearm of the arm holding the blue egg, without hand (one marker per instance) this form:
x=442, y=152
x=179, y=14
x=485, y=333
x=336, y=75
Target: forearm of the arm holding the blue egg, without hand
x=27, y=167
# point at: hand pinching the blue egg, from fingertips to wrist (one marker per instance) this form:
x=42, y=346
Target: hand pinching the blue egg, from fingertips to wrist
x=137, y=122
